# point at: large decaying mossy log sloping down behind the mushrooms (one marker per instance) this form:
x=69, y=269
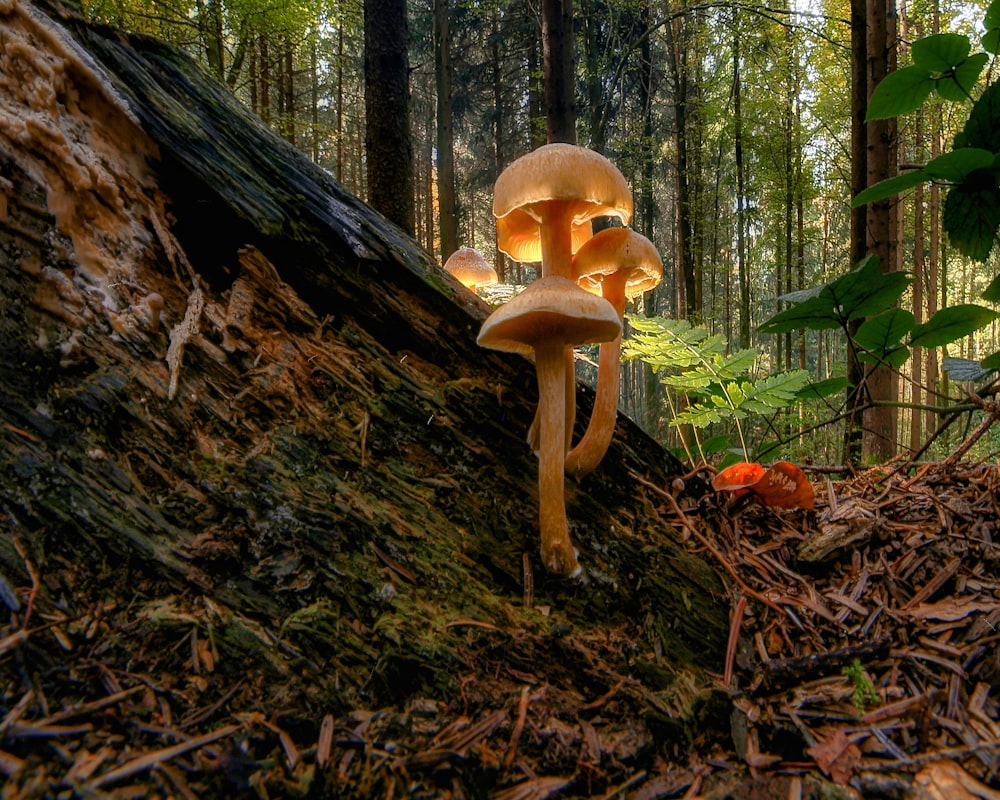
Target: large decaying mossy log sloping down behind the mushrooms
x=301, y=489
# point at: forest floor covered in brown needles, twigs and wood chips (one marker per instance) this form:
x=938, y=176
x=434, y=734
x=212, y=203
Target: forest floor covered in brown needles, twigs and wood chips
x=864, y=662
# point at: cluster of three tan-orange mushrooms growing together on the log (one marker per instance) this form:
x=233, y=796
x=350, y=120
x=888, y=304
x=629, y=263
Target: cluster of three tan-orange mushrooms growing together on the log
x=544, y=204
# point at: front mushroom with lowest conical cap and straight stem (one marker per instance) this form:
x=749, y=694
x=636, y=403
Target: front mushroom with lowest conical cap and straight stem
x=553, y=313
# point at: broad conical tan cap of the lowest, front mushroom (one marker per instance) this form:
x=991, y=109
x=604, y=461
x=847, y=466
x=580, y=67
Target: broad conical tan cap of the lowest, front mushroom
x=550, y=308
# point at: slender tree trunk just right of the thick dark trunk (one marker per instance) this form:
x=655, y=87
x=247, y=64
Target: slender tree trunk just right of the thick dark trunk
x=448, y=221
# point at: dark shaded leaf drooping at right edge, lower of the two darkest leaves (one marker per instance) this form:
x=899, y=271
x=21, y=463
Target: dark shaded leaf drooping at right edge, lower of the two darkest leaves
x=972, y=214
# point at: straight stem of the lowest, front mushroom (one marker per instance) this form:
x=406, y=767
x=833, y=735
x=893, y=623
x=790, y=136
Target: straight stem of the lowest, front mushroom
x=558, y=553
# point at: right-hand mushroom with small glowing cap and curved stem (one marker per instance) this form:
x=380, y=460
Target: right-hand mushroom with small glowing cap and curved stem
x=620, y=264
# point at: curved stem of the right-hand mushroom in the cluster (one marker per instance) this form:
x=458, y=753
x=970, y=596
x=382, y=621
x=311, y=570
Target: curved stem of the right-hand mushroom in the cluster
x=587, y=454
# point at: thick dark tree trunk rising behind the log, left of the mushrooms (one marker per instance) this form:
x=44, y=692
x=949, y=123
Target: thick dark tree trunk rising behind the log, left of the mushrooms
x=388, y=144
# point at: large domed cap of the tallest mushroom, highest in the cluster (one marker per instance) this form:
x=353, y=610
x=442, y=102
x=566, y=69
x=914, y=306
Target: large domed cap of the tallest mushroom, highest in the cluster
x=556, y=172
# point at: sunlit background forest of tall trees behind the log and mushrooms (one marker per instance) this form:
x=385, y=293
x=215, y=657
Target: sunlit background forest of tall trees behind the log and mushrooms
x=732, y=123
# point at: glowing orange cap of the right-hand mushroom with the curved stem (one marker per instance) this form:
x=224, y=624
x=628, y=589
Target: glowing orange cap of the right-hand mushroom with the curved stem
x=618, y=249
